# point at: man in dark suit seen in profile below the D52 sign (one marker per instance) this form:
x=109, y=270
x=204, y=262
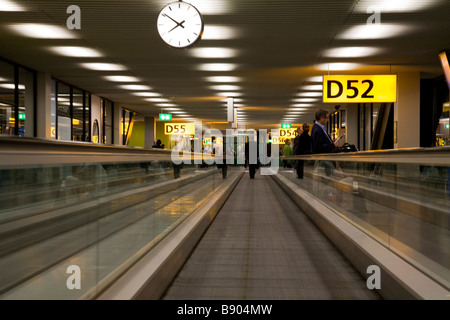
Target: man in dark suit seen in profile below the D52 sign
x=320, y=139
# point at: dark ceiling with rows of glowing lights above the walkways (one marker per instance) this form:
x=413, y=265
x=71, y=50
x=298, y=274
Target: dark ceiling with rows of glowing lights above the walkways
x=276, y=51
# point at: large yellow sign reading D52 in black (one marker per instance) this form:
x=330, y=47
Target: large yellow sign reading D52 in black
x=360, y=89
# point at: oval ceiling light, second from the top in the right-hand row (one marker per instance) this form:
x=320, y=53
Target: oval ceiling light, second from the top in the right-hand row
x=375, y=31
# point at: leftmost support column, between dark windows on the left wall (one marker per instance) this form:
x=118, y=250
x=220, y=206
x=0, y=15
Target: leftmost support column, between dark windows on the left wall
x=43, y=106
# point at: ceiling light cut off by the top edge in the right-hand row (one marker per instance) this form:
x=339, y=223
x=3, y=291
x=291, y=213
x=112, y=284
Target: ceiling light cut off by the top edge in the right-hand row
x=386, y=6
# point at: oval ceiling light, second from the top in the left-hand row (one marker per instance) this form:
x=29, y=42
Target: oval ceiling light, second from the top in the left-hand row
x=42, y=31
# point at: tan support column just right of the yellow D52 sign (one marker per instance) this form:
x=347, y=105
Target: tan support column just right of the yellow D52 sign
x=407, y=111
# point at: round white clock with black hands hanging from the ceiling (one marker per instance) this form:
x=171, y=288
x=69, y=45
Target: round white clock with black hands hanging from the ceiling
x=180, y=24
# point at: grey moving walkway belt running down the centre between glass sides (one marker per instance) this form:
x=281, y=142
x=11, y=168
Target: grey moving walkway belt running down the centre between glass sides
x=261, y=246
